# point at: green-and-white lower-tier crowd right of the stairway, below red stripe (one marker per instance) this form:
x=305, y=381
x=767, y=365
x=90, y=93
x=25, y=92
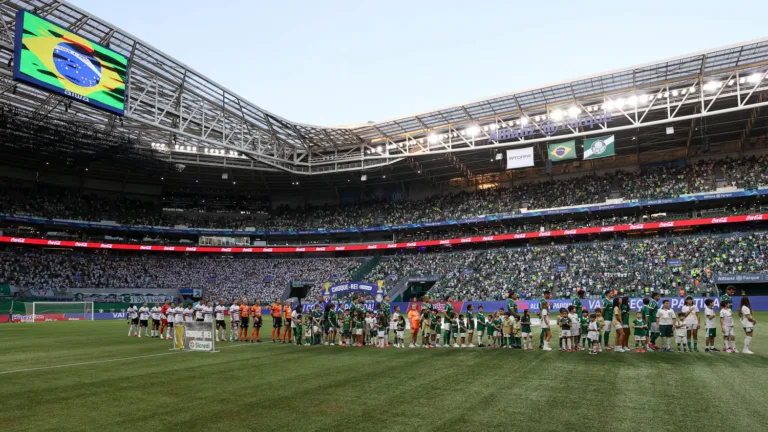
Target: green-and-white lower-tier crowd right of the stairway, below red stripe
x=632, y=266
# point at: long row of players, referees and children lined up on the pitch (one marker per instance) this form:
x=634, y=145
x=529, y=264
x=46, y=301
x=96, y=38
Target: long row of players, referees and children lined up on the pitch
x=358, y=326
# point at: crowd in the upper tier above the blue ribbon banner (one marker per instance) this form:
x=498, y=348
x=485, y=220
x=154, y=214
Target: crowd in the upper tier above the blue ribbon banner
x=657, y=182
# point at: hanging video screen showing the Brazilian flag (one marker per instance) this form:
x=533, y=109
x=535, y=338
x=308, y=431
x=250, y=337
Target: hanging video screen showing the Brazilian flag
x=55, y=59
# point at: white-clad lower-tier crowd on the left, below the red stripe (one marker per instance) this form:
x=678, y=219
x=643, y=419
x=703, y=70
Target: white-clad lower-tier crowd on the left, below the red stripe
x=265, y=279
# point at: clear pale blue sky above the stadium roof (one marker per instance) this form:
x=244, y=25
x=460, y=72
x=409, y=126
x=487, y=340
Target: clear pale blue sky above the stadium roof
x=342, y=62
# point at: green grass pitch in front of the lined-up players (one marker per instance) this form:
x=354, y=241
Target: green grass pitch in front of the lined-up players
x=59, y=377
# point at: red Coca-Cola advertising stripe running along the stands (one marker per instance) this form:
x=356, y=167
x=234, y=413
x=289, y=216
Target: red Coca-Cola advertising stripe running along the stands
x=384, y=246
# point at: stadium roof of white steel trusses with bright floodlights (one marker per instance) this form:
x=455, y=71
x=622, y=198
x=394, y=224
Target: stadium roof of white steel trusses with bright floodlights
x=178, y=115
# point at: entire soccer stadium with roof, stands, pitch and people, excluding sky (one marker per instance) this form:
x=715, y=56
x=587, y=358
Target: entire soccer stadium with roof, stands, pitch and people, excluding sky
x=587, y=255
